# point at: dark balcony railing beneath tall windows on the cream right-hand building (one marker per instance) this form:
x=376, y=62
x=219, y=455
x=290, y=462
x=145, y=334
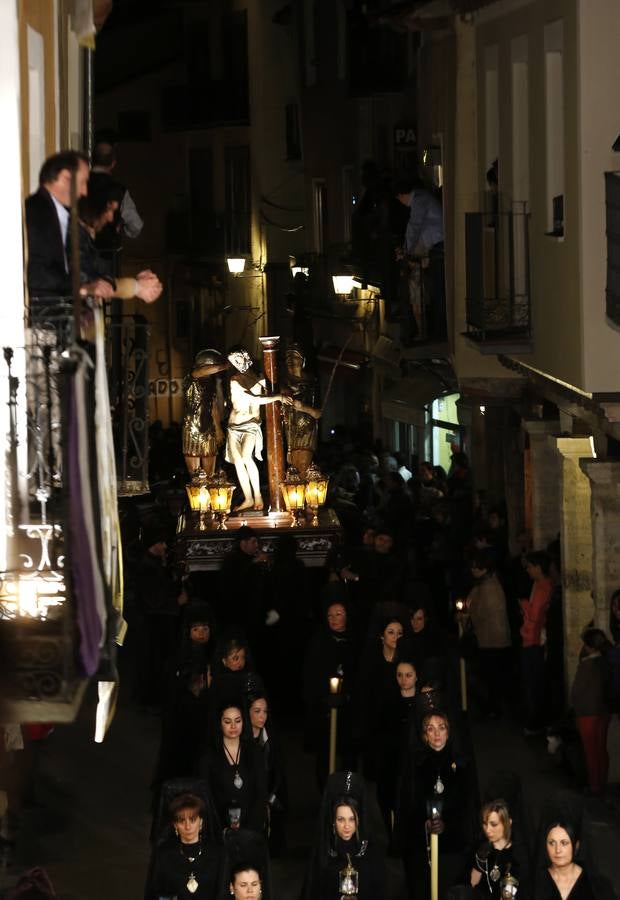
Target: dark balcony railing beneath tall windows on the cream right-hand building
x=497, y=276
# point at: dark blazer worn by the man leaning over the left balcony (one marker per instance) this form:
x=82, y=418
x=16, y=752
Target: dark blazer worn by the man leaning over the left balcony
x=46, y=256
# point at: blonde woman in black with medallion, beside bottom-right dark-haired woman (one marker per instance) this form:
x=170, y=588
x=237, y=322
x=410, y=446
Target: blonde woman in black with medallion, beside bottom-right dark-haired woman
x=496, y=862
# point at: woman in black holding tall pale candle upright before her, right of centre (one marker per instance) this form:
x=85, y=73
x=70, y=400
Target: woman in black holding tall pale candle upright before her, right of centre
x=438, y=796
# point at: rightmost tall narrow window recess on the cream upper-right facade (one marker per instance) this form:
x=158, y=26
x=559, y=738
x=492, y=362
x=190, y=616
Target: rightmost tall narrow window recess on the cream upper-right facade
x=554, y=127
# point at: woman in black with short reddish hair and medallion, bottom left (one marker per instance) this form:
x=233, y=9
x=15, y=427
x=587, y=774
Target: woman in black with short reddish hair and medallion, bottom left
x=188, y=858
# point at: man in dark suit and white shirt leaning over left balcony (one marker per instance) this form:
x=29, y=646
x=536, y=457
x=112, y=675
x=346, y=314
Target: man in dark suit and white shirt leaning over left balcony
x=47, y=226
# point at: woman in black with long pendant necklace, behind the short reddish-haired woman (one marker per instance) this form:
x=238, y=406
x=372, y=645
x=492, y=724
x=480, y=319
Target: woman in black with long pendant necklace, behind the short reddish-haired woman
x=235, y=771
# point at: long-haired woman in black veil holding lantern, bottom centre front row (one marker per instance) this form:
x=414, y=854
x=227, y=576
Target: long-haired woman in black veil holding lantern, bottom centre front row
x=344, y=856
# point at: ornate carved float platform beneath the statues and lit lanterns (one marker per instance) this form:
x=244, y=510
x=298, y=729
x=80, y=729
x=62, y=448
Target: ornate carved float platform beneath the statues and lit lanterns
x=204, y=550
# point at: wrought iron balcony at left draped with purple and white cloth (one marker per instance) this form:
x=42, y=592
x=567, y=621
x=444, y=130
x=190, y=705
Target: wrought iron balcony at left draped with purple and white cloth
x=46, y=650
